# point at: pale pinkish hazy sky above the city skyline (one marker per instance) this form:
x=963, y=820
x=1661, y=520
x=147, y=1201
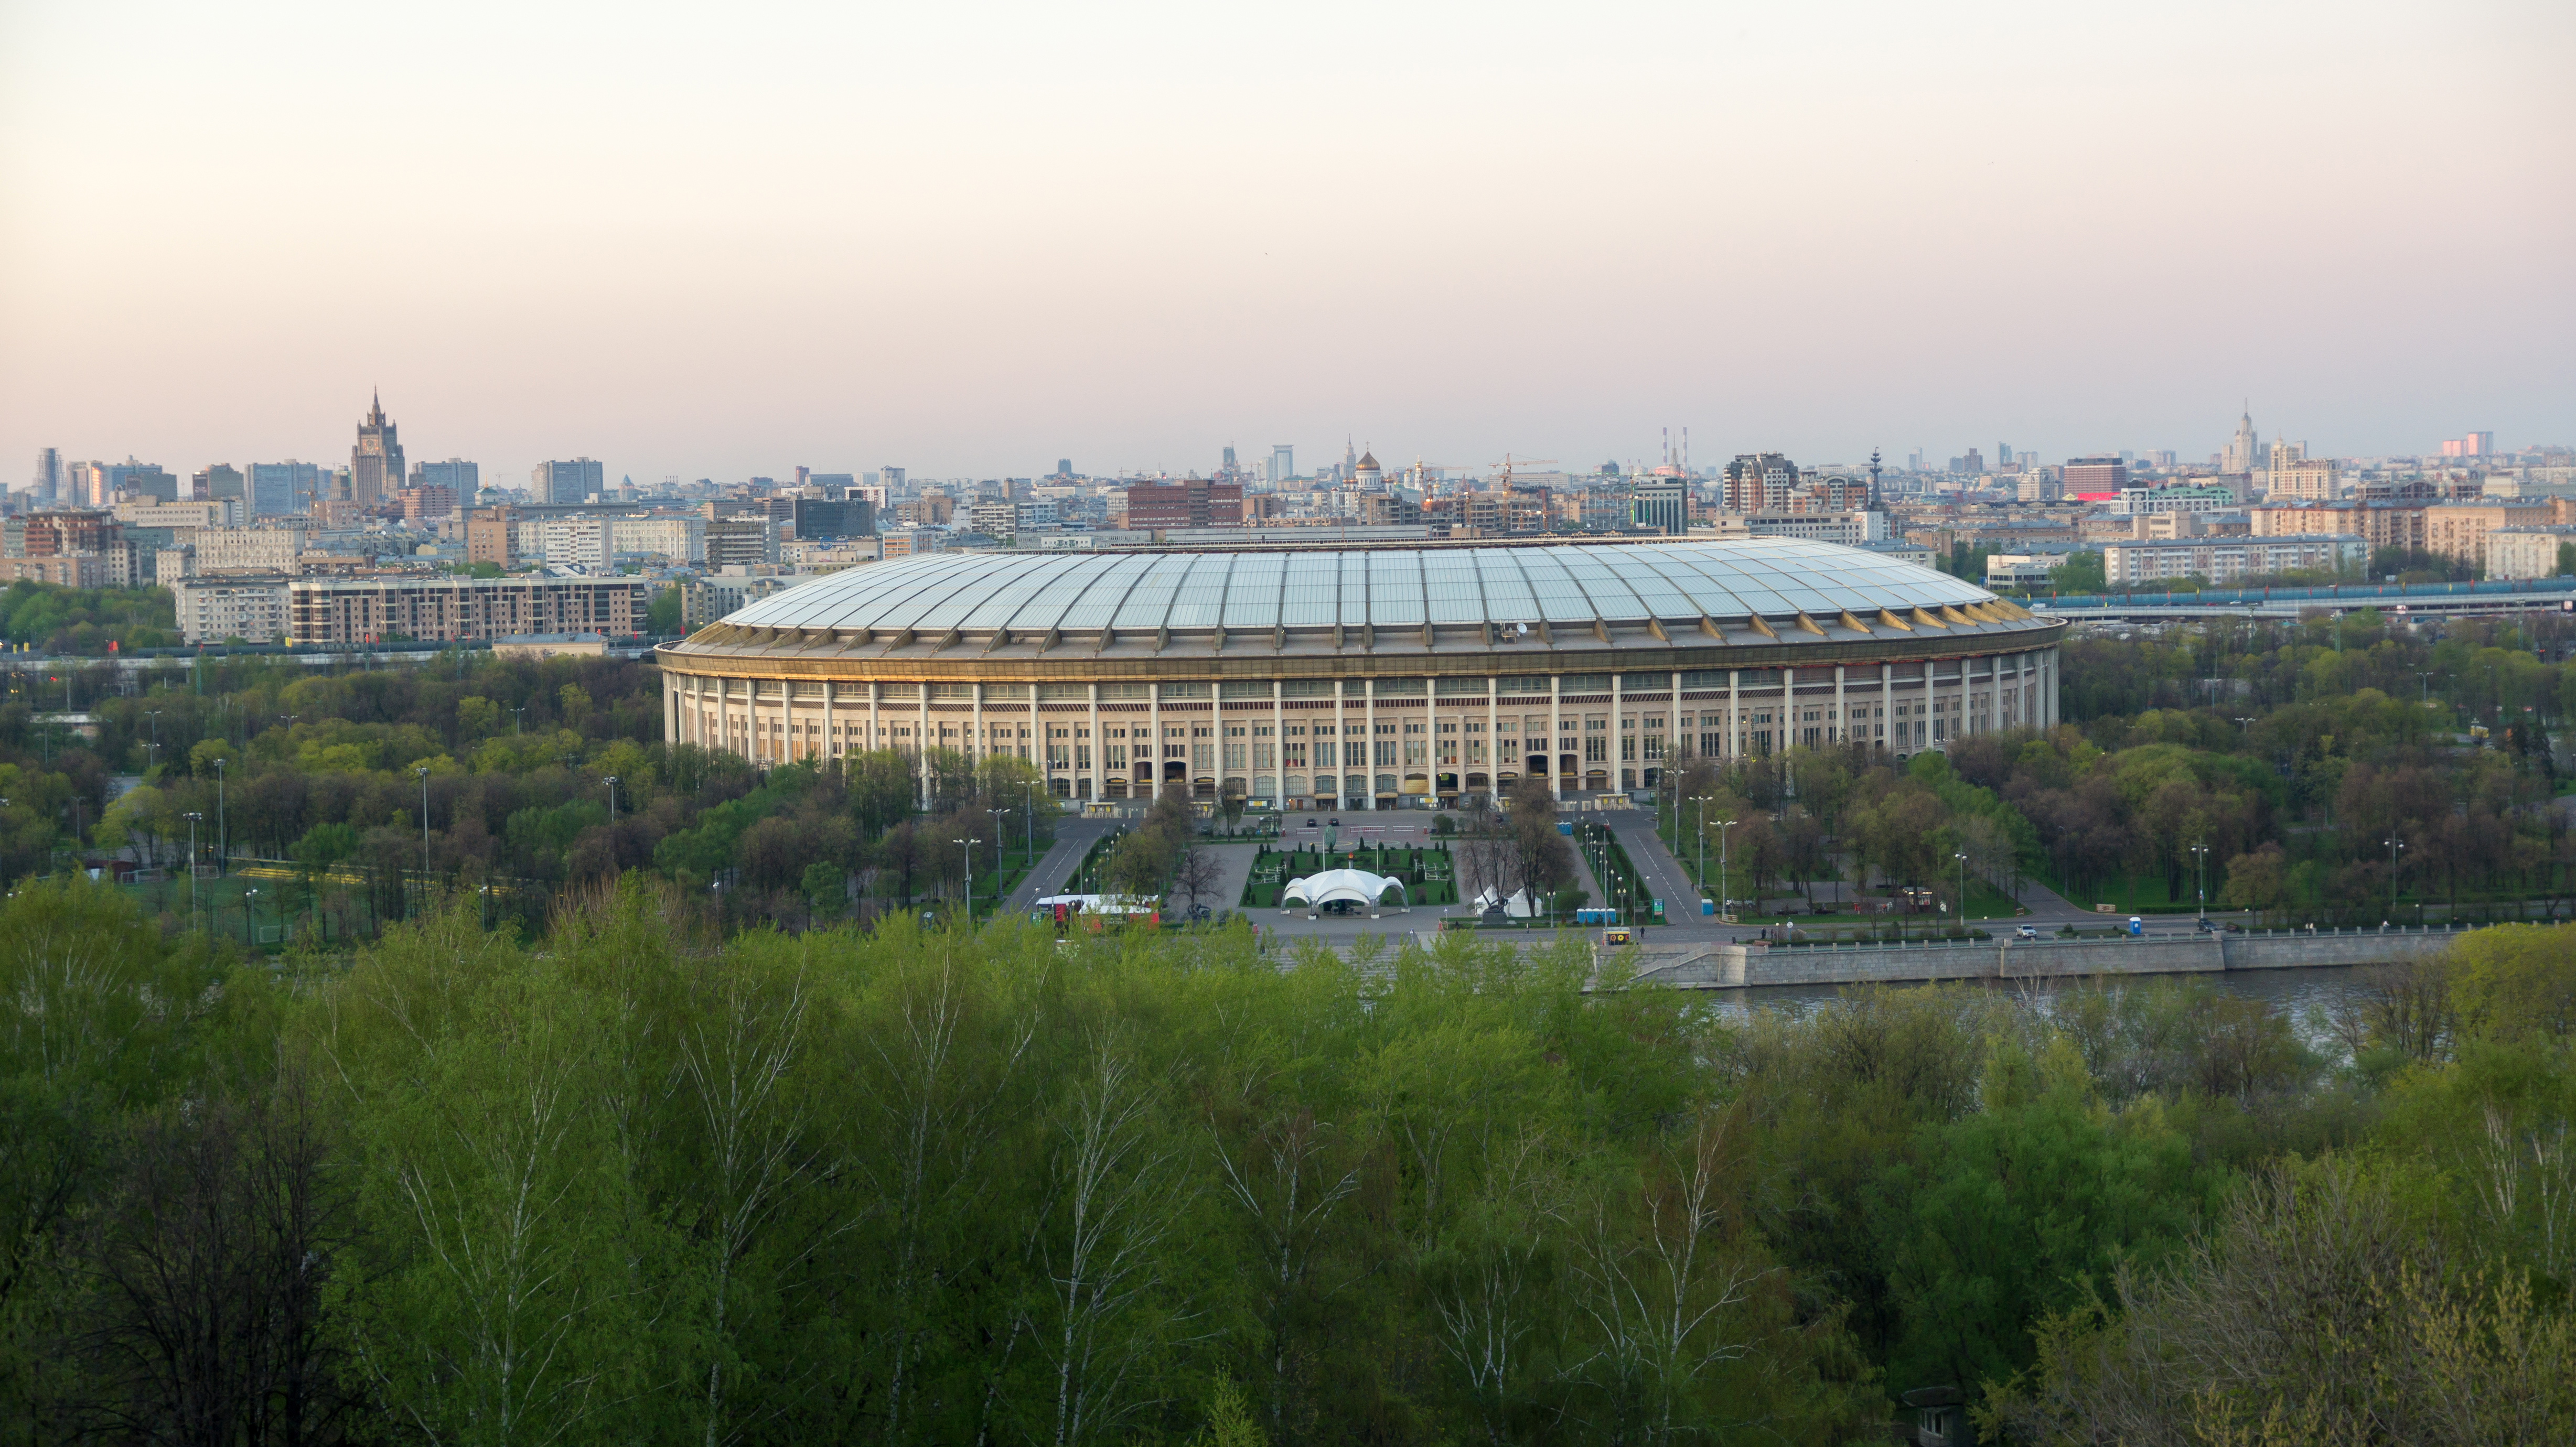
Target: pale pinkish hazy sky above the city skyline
x=723, y=241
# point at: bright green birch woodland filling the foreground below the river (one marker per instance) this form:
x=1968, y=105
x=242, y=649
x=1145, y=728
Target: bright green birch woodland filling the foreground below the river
x=640, y=1181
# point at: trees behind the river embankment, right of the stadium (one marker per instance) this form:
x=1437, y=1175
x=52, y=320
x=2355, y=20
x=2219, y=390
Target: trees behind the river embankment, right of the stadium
x=2289, y=753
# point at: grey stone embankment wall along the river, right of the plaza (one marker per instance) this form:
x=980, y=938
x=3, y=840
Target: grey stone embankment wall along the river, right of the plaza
x=1738, y=967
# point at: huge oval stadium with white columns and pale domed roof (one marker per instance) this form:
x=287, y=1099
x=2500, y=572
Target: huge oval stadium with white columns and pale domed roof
x=1364, y=678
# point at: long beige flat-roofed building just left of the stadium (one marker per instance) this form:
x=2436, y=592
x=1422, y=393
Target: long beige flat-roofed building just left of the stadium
x=462, y=609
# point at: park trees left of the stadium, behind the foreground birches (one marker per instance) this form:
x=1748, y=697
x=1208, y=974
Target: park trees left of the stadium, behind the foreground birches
x=326, y=769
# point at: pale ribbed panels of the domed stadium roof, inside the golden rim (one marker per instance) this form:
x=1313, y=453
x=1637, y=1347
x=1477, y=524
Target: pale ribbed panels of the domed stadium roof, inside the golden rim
x=1387, y=588
